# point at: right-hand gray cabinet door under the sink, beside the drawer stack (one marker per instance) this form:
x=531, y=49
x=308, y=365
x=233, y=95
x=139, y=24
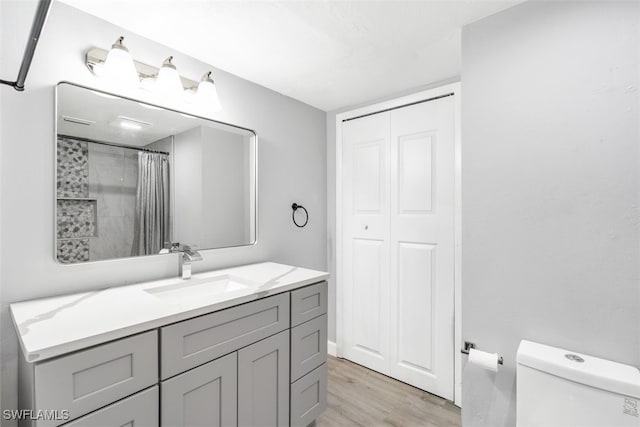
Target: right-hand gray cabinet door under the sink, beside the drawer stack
x=263, y=382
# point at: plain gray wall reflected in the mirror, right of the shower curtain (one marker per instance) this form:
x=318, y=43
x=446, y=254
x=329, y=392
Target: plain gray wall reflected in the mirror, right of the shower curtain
x=211, y=177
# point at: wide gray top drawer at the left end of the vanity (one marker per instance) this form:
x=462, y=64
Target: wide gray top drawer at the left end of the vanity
x=90, y=379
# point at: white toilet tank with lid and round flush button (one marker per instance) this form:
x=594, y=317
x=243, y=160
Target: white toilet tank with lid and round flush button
x=560, y=388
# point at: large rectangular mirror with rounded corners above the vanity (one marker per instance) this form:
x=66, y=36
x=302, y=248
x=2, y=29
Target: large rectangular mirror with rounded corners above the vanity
x=131, y=178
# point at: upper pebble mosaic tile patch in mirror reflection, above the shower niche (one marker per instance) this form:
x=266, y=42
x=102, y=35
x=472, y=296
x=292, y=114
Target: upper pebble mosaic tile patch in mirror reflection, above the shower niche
x=72, y=168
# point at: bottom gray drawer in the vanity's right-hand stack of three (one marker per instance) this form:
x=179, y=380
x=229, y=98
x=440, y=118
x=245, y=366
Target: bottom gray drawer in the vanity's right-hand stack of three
x=309, y=397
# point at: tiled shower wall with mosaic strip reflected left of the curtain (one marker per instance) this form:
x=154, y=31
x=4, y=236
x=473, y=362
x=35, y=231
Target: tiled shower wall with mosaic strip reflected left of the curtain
x=96, y=200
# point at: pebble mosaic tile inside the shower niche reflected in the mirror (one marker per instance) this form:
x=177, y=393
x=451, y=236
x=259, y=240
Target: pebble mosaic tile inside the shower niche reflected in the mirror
x=76, y=218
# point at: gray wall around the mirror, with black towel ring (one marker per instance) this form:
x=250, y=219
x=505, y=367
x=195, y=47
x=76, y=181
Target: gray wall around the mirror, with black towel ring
x=292, y=150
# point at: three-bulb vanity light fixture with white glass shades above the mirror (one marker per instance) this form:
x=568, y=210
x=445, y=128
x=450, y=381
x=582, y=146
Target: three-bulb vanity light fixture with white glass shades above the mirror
x=118, y=66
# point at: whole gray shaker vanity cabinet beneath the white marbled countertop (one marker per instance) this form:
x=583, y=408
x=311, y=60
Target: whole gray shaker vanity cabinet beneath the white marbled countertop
x=257, y=364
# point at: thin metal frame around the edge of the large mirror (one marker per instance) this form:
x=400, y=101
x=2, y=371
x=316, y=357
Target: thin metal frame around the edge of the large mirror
x=55, y=172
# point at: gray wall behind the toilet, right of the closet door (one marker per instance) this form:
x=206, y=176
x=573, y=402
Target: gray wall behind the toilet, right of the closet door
x=550, y=170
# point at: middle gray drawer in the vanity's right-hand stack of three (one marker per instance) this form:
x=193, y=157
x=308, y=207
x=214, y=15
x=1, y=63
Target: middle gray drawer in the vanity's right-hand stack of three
x=308, y=346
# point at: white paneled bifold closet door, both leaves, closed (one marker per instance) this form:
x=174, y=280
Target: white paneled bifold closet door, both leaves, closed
x=398, y=243
